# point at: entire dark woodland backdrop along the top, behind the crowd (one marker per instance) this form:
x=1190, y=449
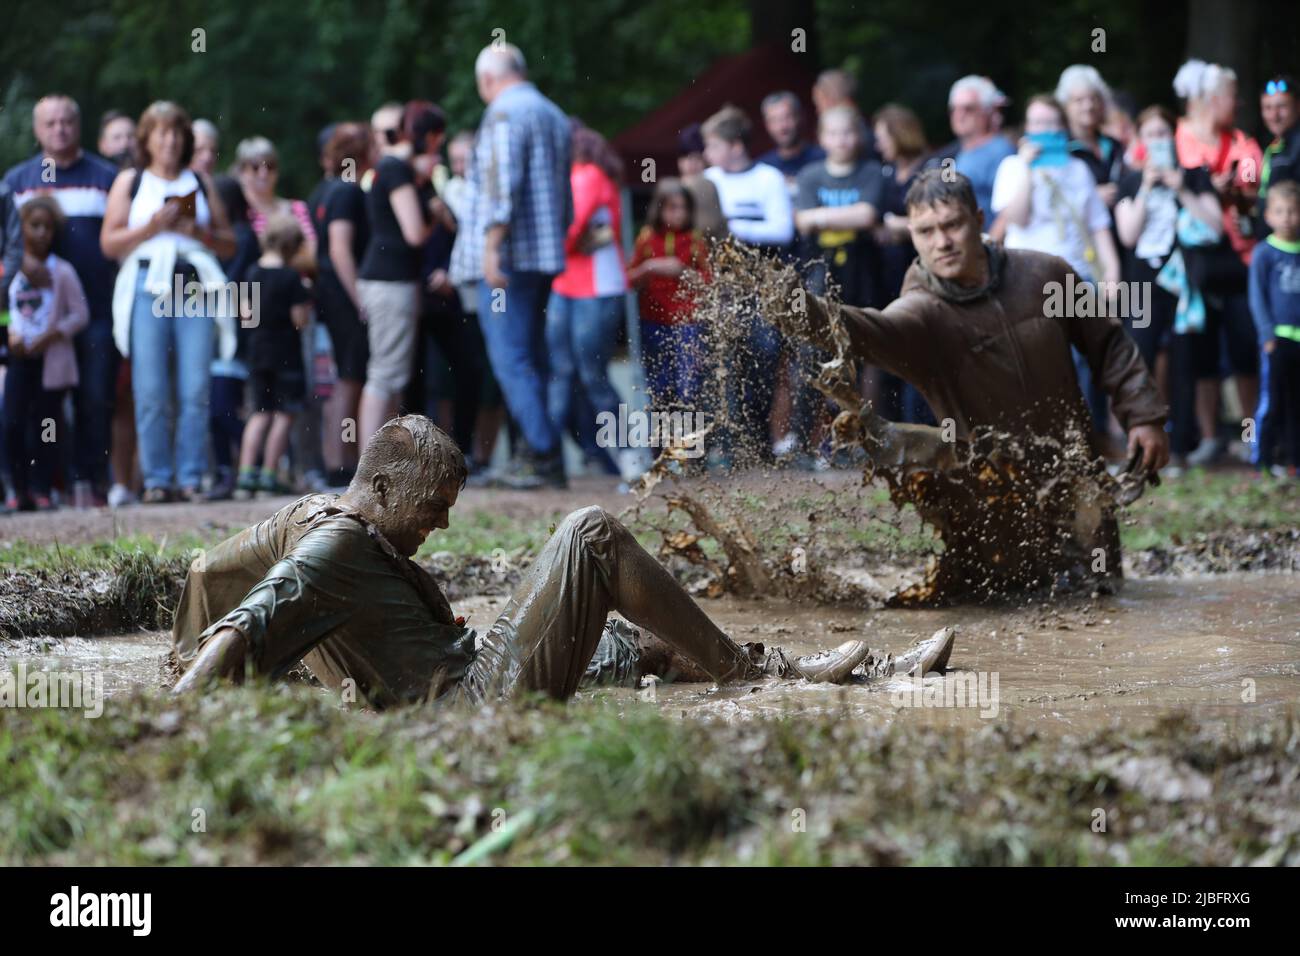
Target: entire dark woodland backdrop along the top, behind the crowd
x=285, y=71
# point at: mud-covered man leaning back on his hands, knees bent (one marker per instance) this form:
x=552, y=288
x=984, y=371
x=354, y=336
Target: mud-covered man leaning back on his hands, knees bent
x=330, y=582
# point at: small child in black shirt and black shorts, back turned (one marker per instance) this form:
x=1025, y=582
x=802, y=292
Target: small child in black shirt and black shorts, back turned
x=278, y=380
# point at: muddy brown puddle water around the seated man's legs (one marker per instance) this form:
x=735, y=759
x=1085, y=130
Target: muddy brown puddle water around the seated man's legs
x=1224, y=648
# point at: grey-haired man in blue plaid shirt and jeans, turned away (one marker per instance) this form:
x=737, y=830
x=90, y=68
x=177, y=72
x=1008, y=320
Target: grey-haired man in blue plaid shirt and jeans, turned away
x=513, y=245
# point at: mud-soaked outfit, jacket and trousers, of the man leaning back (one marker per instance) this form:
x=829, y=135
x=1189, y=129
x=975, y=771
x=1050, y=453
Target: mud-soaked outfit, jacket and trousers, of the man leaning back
x=318, y=585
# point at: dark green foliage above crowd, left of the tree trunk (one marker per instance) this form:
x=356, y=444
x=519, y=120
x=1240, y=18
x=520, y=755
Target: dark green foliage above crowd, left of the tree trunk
x=285, y=71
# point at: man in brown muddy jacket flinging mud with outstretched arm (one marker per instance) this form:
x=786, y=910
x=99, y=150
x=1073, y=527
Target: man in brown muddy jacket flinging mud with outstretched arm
x=1015, y=483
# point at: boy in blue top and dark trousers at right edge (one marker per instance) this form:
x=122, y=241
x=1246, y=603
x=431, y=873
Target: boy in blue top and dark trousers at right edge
x=1276, y=309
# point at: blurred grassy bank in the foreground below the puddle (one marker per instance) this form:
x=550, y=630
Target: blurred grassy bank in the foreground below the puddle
x=287, y=776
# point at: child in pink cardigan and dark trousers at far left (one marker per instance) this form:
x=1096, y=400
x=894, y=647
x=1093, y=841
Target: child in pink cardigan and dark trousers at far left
x=44, y=364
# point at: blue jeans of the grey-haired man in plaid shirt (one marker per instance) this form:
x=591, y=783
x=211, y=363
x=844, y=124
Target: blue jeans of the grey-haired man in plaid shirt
x=517, y=349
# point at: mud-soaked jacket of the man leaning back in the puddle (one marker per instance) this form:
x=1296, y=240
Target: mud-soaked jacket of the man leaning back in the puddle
x=319, y=585
